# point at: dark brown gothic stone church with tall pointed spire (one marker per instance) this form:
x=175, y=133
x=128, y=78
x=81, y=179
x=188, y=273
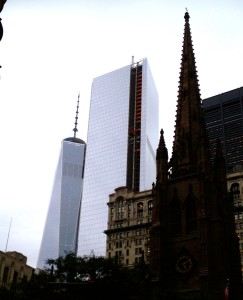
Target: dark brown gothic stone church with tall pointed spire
x=194, y=247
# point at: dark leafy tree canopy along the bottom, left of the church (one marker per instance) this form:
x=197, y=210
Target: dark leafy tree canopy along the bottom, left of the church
x=62, y=279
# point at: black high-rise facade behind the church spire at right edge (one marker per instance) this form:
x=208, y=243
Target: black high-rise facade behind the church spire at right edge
x=224, y=121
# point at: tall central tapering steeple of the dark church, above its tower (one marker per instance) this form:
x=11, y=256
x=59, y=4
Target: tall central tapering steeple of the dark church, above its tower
x=189, y=128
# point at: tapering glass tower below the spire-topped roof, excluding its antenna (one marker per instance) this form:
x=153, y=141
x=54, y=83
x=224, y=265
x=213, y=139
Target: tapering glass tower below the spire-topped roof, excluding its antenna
x=62, y=223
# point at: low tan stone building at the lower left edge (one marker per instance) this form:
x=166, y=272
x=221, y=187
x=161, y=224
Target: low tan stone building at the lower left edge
x=13, y=269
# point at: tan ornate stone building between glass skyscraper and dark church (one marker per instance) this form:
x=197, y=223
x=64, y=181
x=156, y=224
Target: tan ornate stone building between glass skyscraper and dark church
x=129, y=220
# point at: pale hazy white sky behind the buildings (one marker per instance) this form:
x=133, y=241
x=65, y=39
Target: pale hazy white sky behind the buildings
x=52, y=49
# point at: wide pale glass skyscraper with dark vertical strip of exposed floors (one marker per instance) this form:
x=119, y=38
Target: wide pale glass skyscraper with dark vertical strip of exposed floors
x=123, y=135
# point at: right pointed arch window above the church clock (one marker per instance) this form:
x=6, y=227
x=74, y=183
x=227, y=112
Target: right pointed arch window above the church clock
x=191, y=215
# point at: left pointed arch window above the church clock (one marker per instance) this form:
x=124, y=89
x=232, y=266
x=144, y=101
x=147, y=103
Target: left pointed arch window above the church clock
x=175, y=217
